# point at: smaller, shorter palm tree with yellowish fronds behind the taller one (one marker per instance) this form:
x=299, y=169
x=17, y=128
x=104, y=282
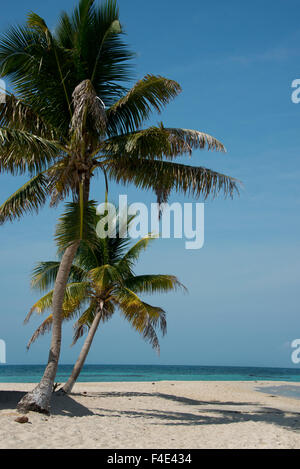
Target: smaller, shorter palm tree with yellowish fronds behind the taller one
x=102, y=280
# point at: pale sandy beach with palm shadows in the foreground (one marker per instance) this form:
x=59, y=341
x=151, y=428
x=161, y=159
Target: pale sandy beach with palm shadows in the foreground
x=162, y=415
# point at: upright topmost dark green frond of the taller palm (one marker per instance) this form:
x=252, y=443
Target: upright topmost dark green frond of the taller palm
x=92, y=37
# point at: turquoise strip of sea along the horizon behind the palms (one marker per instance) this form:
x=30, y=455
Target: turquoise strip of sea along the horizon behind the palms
x=107, y=373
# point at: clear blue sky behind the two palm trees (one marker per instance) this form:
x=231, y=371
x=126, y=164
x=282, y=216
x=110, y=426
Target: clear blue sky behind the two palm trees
x=235, y=62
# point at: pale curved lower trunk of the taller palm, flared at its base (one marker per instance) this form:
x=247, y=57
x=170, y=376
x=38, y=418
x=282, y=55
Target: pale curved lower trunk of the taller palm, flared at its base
x=39, y=399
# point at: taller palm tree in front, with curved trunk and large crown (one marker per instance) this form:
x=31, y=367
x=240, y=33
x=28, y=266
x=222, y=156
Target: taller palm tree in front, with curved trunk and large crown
x=56, y=130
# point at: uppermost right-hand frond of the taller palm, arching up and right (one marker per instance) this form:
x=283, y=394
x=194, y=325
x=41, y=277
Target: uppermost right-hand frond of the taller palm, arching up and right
x=152, y=92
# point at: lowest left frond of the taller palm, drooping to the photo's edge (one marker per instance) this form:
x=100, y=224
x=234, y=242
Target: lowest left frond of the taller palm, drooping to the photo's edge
x=29, y=198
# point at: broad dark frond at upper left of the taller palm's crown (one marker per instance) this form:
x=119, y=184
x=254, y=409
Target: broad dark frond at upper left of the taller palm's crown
x=37, y=71
